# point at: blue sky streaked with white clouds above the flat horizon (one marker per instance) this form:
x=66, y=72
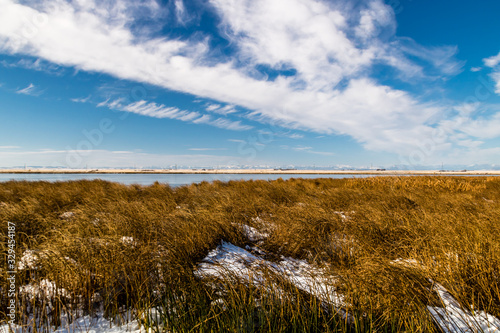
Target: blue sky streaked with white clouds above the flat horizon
x=86, y=83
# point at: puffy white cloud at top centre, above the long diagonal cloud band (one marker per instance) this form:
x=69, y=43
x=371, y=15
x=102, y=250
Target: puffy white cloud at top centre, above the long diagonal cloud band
x=306, y=35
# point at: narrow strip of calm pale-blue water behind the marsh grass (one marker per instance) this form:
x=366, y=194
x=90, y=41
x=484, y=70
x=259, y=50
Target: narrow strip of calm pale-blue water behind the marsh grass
x=172, y=180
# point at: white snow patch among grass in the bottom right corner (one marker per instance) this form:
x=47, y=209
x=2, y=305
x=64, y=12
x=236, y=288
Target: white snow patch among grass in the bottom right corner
x=453, y=319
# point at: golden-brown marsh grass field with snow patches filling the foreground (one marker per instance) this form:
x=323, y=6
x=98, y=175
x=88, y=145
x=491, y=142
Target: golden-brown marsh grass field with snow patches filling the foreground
x=388, y=247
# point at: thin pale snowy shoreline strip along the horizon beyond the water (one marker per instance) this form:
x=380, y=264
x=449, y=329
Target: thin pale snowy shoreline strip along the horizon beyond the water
x=250, y=171
